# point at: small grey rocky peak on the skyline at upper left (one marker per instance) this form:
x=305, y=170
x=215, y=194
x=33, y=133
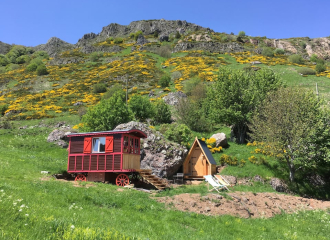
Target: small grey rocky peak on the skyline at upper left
x=54, y=46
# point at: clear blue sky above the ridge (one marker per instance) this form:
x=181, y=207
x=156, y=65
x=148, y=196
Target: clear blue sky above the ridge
x=33, y=22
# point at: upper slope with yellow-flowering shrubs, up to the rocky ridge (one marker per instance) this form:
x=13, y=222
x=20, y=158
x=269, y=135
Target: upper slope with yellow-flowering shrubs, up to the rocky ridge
x=178, y=48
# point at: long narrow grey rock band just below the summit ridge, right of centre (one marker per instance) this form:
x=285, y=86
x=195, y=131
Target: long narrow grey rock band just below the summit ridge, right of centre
x=209, y=46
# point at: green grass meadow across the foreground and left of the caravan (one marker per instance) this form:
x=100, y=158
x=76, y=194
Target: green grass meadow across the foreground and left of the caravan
x=59, y=210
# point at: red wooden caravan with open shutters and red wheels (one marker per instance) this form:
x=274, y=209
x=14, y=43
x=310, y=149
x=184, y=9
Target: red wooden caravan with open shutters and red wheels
x=94, y=154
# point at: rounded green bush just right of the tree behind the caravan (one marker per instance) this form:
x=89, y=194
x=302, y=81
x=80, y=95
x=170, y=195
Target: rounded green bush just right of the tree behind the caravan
x=141, y=107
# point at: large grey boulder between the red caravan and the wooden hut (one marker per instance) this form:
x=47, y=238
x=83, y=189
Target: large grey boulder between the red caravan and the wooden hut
x=161, y=156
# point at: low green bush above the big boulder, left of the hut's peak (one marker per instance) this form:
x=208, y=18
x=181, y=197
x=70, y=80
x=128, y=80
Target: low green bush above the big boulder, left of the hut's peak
x=179, y=133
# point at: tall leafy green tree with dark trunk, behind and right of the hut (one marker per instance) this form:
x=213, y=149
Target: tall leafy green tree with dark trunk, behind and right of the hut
x=233, y=97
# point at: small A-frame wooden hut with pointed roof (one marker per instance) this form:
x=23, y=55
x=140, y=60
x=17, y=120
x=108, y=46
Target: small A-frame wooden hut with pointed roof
x=199, y=161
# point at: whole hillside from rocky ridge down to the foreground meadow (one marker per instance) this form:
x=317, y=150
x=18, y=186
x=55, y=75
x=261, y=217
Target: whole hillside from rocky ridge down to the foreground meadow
x=52, y=85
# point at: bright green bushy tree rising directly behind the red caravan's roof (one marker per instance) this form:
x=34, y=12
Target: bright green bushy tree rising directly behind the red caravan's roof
x=107, y=114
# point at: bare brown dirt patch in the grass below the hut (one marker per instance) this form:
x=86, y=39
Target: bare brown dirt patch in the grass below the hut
x=242, y=204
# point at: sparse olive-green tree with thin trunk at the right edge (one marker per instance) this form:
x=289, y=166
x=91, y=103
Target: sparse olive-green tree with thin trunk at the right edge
x=293, y=126
